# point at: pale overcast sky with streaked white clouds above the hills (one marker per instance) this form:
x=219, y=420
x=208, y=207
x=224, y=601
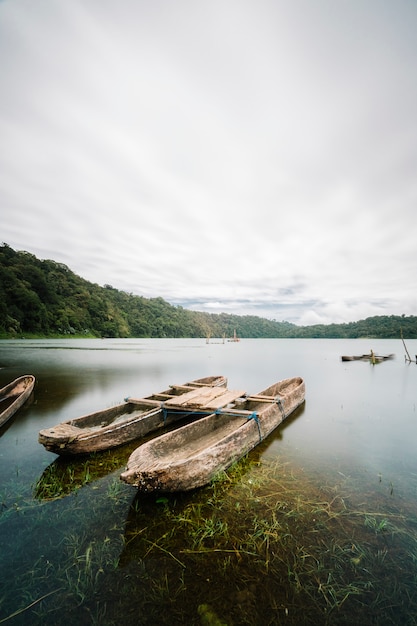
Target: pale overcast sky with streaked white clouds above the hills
x=254, y=157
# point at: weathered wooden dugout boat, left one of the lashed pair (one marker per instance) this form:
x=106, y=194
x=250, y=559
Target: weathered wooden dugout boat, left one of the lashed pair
x=124, y=422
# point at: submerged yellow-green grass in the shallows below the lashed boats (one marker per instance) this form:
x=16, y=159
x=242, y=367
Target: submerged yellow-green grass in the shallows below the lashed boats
x=265, y=543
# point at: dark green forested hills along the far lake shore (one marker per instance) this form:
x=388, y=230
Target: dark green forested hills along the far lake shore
x=45, y=298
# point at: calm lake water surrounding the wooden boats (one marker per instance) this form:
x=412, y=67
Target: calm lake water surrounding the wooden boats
x=318, y=525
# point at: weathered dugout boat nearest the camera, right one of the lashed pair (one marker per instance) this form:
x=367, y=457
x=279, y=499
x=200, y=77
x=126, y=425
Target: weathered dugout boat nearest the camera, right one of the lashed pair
x=192, y=455
